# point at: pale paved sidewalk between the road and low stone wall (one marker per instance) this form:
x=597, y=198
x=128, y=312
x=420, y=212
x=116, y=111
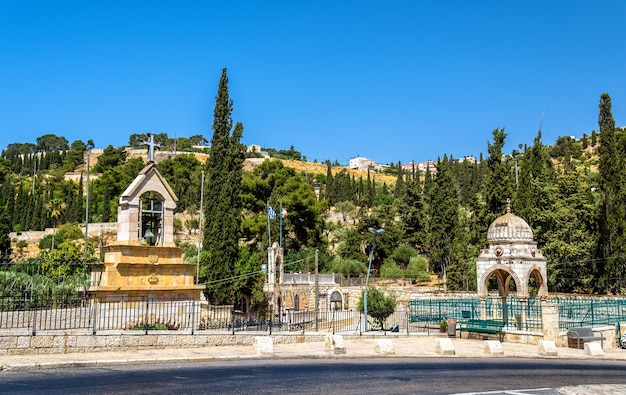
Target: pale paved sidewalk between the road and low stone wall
x=404, y=347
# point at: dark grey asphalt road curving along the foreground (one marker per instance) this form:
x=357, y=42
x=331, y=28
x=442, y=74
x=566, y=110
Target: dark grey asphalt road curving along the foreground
x=313, y=376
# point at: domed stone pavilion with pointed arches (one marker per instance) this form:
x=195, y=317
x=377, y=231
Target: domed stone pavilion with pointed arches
x=511, y=255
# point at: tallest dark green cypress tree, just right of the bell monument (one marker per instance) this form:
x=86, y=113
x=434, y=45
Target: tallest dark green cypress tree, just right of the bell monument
x=223, y=200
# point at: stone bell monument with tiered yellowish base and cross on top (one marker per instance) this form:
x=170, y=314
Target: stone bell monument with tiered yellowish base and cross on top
x=144, y=262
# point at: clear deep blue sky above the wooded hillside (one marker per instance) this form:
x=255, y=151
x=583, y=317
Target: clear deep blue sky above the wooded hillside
x=388, y=80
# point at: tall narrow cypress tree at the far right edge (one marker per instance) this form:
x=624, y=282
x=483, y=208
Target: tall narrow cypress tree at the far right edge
x=612, y=214
